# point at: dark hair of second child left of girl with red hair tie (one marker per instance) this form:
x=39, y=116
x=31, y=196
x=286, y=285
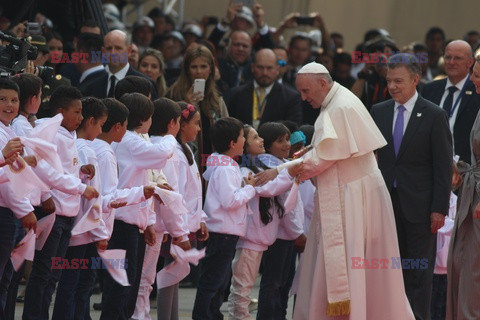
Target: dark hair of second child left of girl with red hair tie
x=140, y=108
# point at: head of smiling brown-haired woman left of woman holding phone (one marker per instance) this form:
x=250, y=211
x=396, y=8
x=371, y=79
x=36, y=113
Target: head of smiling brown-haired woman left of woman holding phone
x=152, y=65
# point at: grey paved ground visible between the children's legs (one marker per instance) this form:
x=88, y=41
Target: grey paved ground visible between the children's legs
x=186, y=298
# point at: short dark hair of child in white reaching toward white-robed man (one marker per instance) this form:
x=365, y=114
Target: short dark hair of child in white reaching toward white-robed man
x=223, y=131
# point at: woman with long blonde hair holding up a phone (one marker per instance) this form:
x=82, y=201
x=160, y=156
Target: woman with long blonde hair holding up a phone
x=198, y=63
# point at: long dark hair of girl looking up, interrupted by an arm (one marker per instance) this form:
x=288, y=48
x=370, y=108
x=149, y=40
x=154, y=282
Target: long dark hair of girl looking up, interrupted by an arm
x=264, y=204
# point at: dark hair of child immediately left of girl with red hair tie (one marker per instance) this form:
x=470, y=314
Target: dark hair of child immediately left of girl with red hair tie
x=165, y=110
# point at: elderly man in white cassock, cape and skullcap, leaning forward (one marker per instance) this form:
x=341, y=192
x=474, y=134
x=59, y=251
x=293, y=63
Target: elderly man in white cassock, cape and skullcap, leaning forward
x=351, y=267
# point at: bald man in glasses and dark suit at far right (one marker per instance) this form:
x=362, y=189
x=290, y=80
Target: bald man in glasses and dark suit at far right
x=457, y=95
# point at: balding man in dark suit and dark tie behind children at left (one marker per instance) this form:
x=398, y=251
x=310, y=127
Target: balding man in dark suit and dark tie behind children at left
x=103, y=84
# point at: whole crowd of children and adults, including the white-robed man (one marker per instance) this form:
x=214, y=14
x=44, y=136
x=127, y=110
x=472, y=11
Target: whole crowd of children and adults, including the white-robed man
x=333, y=175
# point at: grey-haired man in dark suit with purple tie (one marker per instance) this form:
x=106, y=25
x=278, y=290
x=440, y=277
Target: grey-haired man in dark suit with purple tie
x=417, y=167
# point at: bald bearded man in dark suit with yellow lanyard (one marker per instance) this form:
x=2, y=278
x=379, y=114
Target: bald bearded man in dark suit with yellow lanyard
x=264, y=99
